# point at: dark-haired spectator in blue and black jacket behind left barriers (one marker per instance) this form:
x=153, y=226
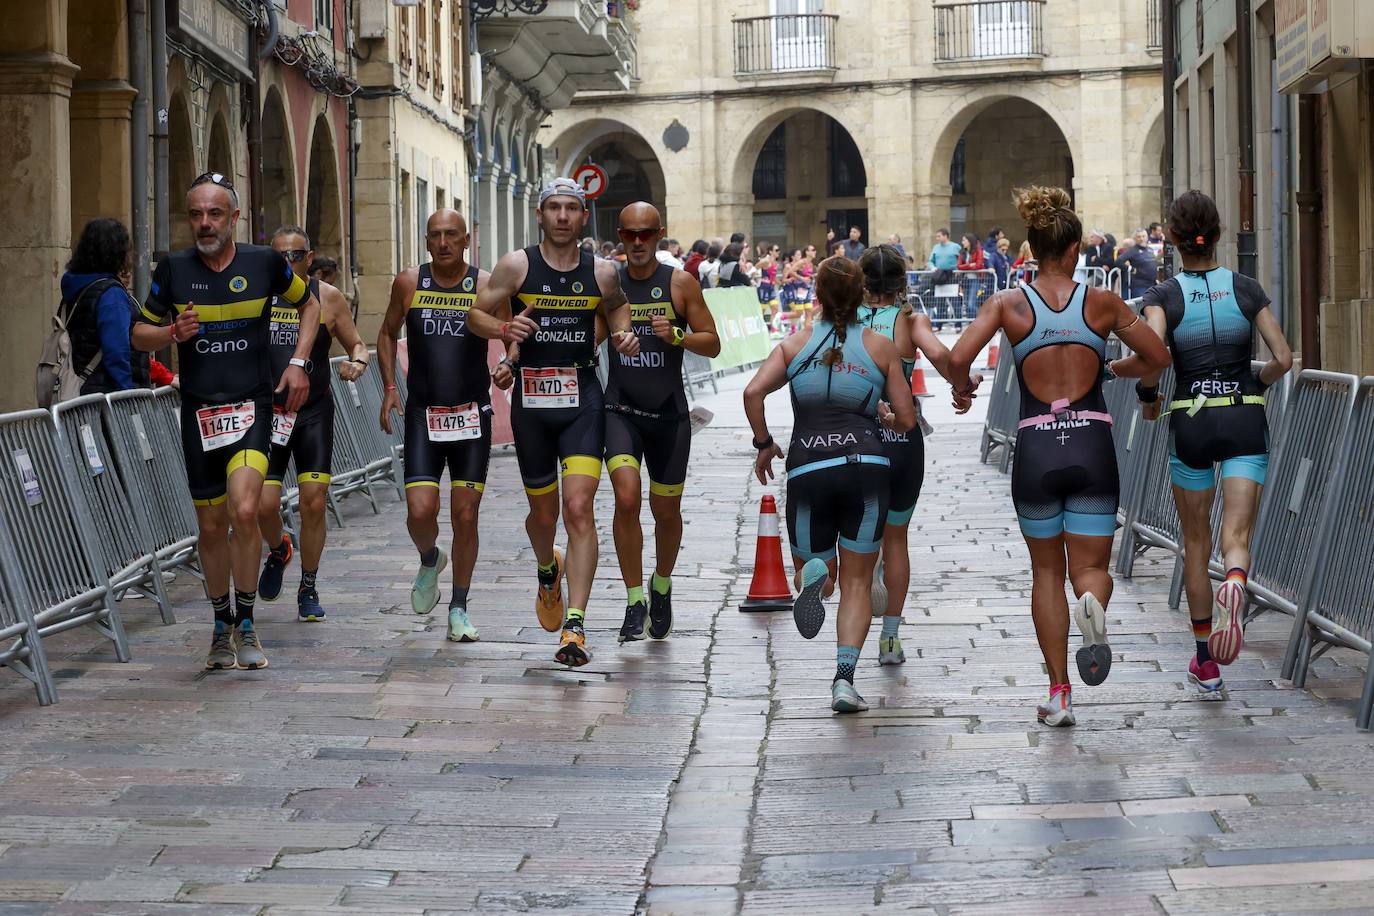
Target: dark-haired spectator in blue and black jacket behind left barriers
x=101, y=311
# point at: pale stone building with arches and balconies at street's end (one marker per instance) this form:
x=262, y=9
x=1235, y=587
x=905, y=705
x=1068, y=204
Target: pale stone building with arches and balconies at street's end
x=785, y=119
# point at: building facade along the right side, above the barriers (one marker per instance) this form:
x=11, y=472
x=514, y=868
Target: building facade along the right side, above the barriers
x=1307, y=122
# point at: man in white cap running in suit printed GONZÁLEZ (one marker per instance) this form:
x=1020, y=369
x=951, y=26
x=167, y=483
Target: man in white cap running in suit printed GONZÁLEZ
x=557, y=290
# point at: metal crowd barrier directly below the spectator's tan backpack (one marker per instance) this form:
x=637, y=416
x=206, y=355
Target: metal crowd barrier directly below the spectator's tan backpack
x=105, y=477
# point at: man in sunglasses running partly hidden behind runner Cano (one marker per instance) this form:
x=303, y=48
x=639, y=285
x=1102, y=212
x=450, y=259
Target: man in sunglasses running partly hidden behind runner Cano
x=308, y=435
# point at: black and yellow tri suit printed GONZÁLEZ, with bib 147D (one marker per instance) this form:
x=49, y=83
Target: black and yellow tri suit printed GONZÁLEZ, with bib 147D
x=559, y=413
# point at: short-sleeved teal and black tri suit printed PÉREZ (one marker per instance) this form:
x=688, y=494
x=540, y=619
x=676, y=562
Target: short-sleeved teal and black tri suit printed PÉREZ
x=1218, y=410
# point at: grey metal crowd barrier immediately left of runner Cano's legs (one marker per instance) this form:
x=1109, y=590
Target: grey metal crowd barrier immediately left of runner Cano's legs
x=144, y=425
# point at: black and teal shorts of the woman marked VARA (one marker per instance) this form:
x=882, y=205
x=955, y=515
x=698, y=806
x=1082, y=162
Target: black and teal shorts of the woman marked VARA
x=844, y=505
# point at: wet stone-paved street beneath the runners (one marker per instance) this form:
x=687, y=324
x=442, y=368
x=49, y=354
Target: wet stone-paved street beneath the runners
x=377, y=768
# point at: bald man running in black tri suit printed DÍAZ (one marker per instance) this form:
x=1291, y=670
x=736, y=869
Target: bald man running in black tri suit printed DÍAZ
x=449, y=417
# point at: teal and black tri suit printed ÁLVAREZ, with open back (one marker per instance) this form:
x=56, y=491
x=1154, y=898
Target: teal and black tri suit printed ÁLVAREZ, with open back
x=1066, y=474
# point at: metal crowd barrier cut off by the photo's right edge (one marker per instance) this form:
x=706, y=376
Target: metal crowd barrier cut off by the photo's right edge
x=1338, y=608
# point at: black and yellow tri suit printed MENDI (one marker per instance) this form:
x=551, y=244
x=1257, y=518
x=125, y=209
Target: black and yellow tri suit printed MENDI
x=646, y=406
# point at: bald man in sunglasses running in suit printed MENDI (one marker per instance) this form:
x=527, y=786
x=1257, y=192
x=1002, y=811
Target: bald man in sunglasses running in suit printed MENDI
x=646, y=415
